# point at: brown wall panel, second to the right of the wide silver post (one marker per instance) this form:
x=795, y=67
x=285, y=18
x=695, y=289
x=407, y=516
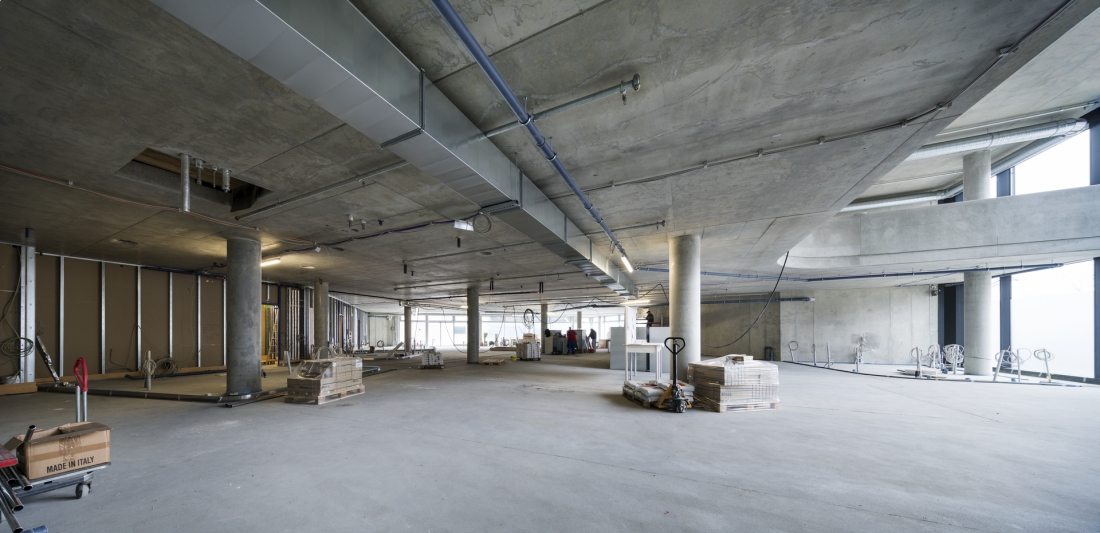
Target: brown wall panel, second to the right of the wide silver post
x=82, y=314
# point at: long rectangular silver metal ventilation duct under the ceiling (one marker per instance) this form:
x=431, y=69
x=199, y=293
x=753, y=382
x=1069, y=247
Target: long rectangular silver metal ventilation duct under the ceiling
x=329, y=53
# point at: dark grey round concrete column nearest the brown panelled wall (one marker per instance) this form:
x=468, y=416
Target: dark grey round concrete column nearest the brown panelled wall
x=244, y=313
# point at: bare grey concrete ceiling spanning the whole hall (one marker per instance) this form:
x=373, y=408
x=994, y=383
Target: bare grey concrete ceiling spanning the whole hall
x=91, y=85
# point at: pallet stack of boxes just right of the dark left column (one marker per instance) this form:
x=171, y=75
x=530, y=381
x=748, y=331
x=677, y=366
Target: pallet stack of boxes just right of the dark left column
x=324, y=381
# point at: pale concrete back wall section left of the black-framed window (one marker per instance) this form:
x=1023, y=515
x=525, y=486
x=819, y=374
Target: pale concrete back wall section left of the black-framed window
x=896, y=320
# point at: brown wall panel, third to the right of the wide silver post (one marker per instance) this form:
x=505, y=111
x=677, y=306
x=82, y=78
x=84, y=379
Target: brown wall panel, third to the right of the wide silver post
x=122, y=318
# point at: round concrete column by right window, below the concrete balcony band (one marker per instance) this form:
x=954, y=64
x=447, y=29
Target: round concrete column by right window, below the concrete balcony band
x=981, y=348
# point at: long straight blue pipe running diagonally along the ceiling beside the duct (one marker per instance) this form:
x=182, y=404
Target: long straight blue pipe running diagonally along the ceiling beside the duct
x=526, y=120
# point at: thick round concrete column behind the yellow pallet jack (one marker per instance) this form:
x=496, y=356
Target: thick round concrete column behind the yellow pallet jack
x=685, y=291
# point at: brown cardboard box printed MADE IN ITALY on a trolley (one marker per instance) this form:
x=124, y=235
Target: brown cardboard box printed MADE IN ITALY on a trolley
x=64, y=449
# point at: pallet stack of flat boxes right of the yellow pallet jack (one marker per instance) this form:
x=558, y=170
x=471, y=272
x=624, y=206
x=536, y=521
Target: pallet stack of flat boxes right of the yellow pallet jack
x=735, y=383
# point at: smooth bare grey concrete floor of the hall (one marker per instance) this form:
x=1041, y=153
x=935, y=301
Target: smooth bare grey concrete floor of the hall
x=554, y=447
